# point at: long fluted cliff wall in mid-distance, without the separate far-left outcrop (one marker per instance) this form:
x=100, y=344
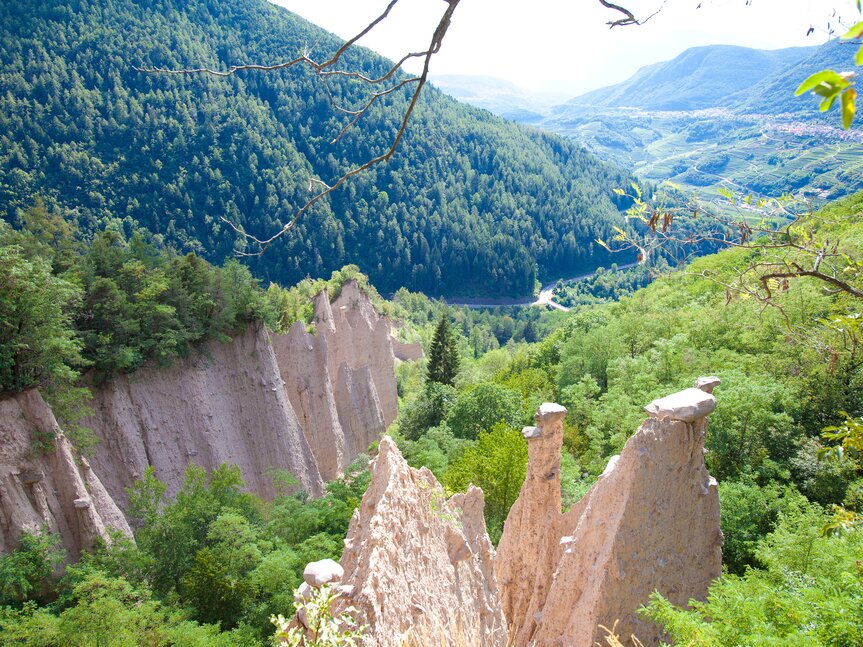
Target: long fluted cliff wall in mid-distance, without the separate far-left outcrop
x=307, y=403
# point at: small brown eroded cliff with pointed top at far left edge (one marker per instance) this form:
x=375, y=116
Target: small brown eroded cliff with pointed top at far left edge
x=44, y=485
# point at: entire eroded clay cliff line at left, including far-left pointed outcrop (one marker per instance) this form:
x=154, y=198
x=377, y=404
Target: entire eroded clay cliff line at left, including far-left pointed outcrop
x=307, y=403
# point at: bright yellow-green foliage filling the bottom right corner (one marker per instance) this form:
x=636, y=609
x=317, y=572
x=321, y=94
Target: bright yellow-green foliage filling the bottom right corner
x=810, y=592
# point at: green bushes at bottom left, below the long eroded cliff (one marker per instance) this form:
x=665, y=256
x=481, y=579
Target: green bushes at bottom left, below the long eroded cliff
x=210, y=566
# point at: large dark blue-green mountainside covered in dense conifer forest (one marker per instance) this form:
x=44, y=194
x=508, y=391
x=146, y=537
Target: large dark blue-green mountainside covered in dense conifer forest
x=470, y=203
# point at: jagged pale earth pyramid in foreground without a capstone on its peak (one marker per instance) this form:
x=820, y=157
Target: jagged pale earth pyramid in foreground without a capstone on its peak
x=415, y=562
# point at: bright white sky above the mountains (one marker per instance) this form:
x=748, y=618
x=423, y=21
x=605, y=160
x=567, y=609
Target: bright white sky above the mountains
x=564, y=46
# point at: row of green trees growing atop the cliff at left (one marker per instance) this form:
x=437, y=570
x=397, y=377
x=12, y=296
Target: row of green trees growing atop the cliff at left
x=110, y=305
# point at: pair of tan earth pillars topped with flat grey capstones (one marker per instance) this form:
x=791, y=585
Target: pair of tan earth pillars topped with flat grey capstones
x=651, y=522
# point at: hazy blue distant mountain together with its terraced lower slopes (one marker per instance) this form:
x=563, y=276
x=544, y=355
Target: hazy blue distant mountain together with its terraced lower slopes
x=723, y=117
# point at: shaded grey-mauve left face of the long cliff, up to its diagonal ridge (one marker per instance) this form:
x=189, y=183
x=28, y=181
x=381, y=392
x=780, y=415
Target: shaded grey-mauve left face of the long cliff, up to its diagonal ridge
x=226, y=404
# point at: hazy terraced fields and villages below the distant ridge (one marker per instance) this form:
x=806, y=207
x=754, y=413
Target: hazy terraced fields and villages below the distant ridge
x=706, y=151
